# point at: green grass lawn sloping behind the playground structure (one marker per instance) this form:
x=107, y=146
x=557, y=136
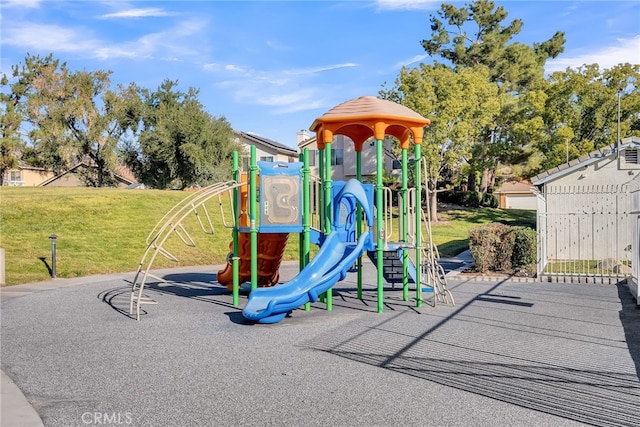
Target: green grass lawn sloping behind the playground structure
x=104, y=231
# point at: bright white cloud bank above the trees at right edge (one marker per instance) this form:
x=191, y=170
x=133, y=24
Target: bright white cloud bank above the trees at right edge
x=624, y=50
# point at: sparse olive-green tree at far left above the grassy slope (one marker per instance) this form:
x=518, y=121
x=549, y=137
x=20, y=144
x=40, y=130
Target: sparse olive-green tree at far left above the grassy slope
x=72, y=117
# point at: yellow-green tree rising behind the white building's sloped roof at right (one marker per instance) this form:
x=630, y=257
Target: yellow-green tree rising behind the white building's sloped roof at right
x=581, y=112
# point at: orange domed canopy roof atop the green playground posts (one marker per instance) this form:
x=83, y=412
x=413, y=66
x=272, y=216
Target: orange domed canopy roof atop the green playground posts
x=368, y=116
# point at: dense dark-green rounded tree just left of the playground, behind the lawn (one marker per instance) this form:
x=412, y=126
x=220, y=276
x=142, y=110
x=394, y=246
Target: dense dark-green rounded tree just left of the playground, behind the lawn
x=180, y=144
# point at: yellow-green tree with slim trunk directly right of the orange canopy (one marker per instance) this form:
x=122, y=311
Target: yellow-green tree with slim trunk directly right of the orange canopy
x=459, y=104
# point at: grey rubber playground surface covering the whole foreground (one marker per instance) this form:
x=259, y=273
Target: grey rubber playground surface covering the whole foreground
x=518, y=354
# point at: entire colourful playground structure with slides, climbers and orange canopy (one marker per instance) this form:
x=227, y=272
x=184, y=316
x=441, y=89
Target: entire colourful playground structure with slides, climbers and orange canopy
x=352, y=219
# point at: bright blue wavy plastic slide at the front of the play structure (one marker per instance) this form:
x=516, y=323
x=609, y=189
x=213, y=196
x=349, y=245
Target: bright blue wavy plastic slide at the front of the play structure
x=336, y=255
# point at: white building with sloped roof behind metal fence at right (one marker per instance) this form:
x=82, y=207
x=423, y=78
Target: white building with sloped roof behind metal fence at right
x=584, y=215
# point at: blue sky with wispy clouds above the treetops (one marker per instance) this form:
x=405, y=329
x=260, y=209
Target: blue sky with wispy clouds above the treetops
x=271, y=68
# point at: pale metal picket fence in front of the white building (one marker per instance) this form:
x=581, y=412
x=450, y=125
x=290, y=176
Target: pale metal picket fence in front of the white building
x=585, y=234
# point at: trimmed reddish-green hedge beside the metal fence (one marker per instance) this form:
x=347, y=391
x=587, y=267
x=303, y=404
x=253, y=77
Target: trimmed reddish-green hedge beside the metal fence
x=503, y=248
